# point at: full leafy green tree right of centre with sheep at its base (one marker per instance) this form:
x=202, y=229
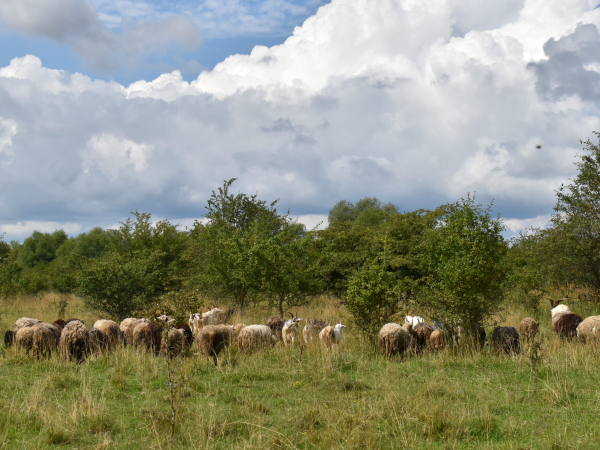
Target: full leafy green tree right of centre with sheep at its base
x=465, y=253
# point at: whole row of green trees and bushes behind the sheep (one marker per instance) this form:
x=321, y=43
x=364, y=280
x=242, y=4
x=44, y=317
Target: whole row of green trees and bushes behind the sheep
x=451, y=263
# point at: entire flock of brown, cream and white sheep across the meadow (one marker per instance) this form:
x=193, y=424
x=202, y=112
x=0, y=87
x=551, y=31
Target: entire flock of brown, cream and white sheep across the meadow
x=211, y=334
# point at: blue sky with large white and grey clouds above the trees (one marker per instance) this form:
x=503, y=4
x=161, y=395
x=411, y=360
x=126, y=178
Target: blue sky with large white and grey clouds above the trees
x=111, y=106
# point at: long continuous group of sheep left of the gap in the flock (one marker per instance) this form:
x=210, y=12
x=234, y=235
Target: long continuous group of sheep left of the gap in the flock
x=207, y=330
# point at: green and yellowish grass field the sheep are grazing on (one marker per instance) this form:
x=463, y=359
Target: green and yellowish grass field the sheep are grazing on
x=280, y=398
